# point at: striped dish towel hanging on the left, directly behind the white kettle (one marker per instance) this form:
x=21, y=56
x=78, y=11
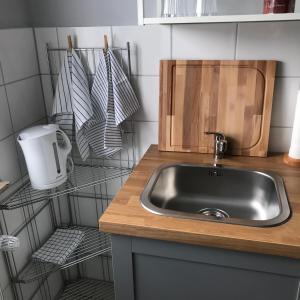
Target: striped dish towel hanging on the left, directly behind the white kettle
x=72, y=103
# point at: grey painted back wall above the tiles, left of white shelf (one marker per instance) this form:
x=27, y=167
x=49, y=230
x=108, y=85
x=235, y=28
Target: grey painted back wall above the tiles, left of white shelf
x=82, y=12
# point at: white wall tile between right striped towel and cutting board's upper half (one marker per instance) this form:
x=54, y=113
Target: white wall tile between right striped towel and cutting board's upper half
x=147, y=90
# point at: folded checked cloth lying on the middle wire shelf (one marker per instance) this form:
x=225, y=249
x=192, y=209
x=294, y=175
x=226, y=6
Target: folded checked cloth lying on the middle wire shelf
x=59, y=247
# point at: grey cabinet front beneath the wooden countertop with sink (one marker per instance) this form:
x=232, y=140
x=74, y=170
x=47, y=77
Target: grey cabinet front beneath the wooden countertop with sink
x=147, y=269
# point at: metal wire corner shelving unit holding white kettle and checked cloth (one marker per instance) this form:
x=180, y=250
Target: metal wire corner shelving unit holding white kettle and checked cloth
x=92, y=184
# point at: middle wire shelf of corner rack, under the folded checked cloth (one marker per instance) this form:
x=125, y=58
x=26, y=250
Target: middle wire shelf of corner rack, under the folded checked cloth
x=94, y=244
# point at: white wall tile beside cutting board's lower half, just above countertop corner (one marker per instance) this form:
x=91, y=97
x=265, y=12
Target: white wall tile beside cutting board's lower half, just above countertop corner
x=146, y=134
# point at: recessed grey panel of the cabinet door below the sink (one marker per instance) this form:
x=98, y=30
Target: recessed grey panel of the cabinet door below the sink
x=169, y=279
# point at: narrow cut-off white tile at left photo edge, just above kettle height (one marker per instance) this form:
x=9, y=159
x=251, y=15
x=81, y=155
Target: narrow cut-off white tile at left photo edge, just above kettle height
x=5, y=121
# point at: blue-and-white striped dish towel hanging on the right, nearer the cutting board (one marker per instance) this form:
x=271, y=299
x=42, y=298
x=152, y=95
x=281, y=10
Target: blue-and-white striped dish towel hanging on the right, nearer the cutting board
x=113, y=101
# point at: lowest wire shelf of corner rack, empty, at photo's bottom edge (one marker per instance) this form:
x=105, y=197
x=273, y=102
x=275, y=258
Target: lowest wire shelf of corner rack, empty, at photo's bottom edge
x=91, y=289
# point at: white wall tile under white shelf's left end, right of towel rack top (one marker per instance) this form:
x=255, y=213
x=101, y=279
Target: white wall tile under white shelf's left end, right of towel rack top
x=149, y=44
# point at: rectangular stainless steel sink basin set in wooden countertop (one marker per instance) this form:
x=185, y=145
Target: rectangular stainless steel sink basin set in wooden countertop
x=220, y=194
